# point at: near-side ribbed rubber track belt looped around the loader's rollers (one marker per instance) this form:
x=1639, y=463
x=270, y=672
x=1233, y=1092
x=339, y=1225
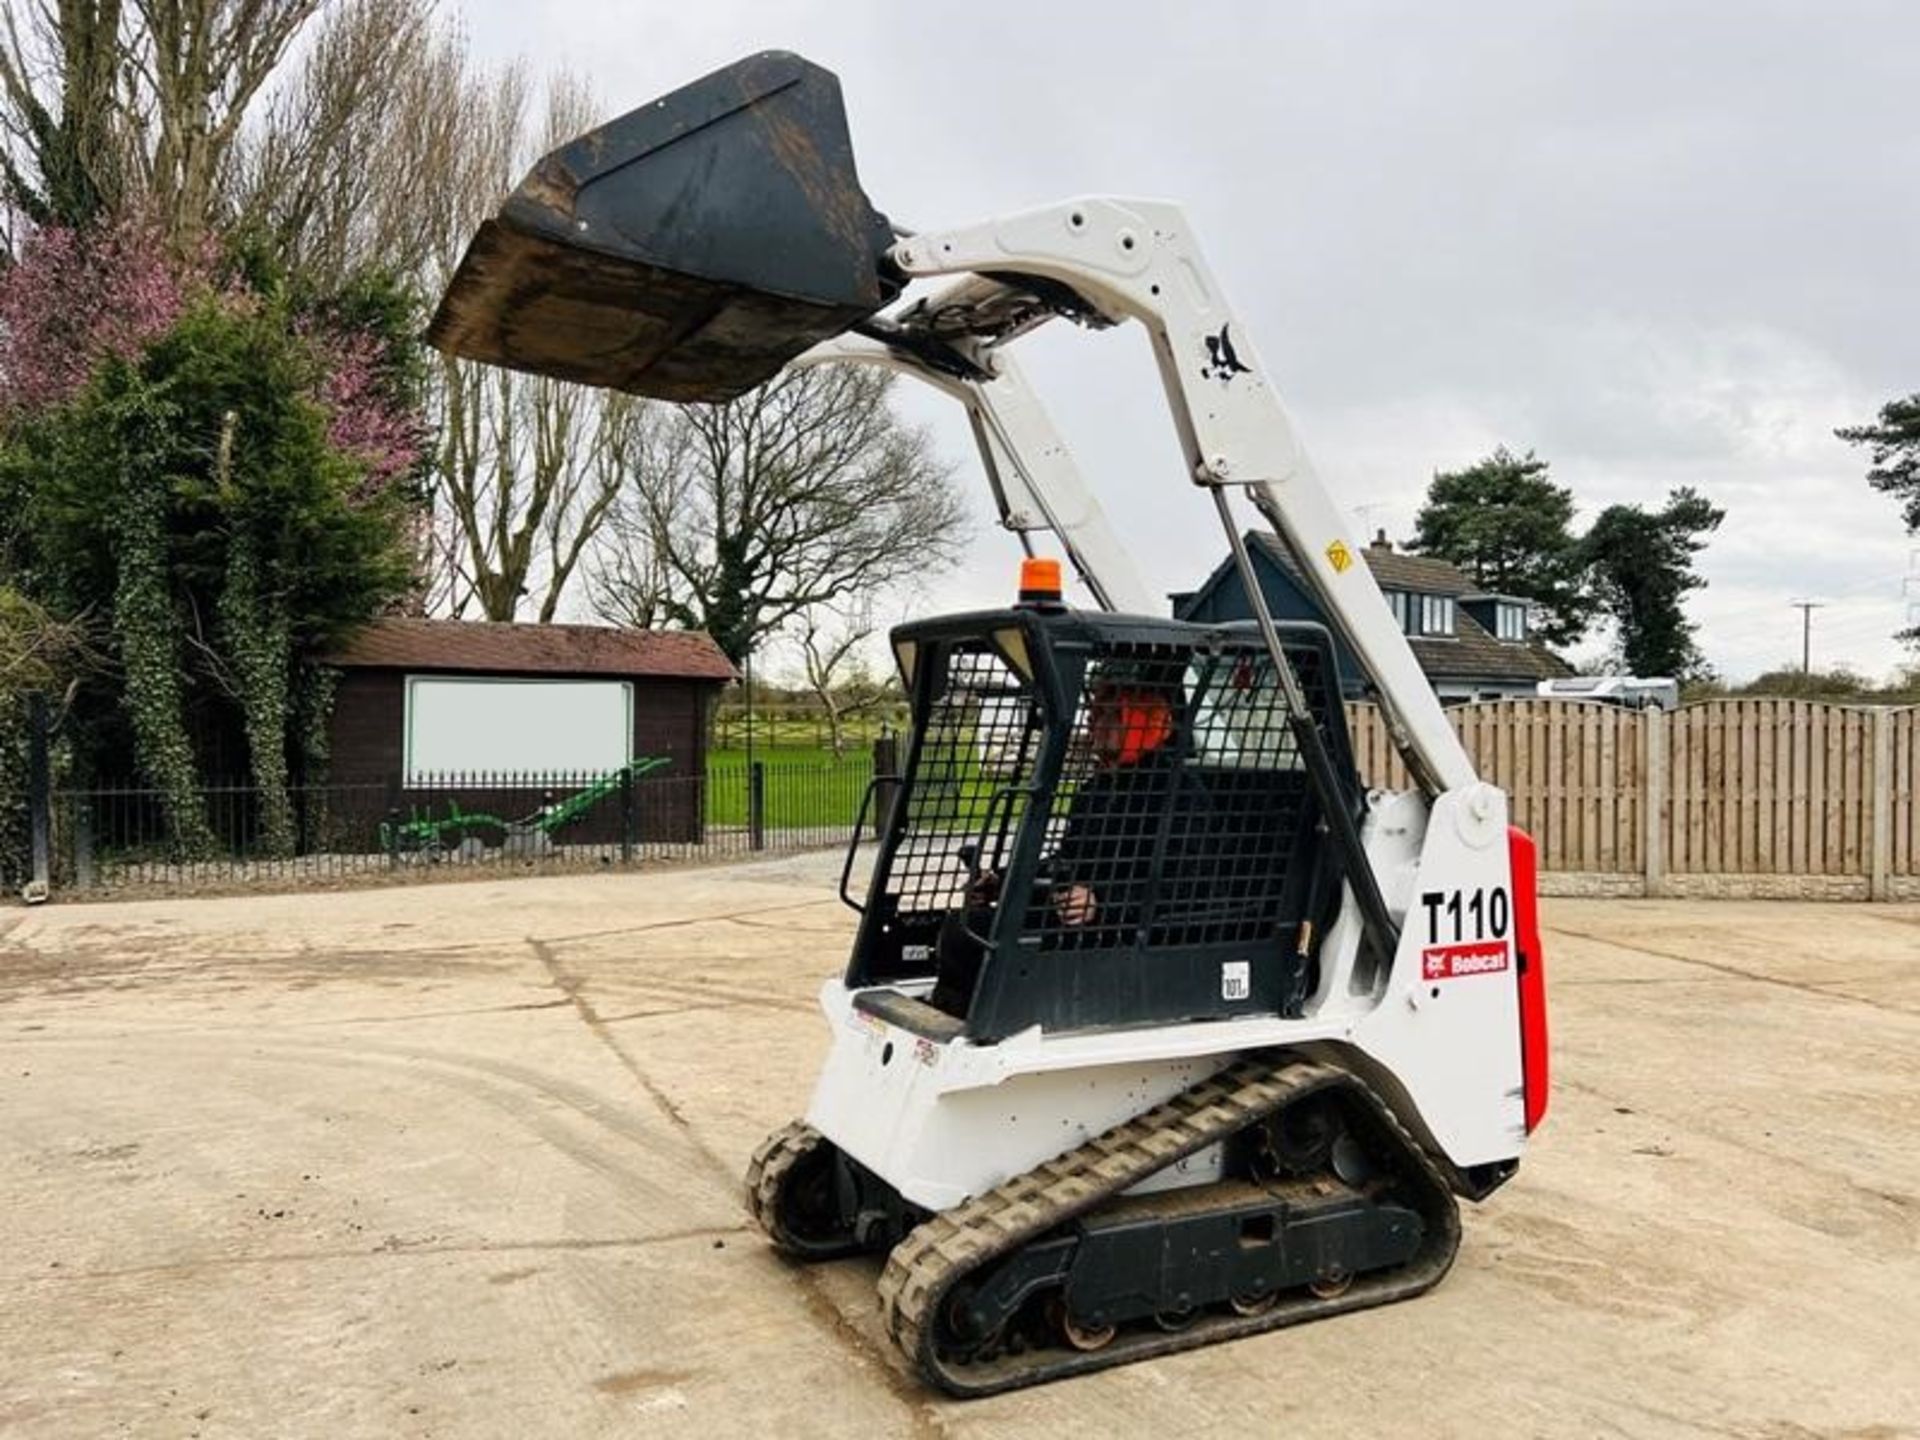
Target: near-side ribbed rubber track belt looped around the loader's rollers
x=934, y=1259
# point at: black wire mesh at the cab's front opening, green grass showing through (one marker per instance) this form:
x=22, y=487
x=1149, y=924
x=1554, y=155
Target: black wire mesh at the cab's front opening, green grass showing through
x=978, y=748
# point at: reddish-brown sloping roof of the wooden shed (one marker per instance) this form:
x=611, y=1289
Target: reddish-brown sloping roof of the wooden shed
x=489, y=648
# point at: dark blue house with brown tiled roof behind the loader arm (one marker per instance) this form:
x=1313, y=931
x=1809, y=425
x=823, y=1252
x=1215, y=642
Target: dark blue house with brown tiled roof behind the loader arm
x=1472, y=644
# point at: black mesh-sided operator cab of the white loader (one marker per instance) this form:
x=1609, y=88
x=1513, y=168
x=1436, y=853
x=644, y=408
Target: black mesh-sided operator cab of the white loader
x=1103, y=823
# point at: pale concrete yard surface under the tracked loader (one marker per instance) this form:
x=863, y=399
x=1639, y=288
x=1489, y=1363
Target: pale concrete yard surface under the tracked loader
x=464, y=1161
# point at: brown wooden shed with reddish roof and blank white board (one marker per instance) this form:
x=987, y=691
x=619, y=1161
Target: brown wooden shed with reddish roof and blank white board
x=500, y=717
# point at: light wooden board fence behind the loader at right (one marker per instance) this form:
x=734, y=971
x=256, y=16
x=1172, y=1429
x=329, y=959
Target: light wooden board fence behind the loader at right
x=1792, y=796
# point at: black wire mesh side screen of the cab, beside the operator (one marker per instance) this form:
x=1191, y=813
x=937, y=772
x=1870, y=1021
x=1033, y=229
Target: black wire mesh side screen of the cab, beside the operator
x=1184, y=807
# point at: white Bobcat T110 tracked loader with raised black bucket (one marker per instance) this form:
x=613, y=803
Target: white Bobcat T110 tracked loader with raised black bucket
x=1161, y=1028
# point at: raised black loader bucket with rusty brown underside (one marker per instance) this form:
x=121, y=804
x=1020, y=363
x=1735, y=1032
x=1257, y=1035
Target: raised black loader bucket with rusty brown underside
x=686, y=251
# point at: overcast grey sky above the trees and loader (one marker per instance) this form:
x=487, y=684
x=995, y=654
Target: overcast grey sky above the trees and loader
x=1654, y=243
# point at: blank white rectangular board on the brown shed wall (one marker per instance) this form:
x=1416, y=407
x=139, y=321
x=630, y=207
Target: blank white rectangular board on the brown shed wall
x=460, y=727
